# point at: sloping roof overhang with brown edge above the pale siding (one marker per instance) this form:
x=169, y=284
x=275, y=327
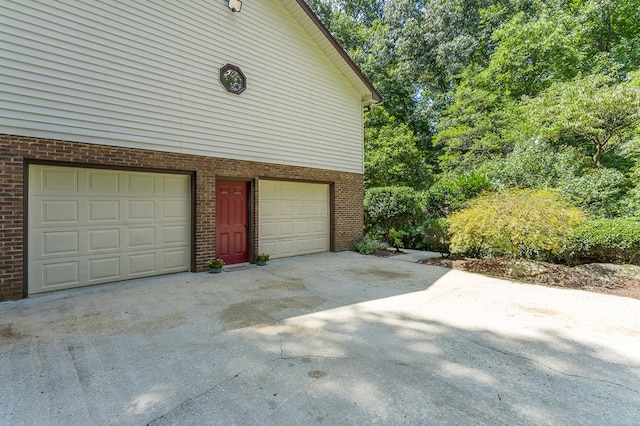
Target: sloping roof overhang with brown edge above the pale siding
x=327, y=42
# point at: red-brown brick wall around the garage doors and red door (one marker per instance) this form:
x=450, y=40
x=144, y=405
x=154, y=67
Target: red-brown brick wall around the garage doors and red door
x=17, y=151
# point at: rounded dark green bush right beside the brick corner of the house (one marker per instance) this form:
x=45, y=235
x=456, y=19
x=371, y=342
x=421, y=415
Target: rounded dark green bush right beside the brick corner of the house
x=391, y=208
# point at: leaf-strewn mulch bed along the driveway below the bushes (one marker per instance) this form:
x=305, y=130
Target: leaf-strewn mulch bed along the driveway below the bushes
x=620, y=280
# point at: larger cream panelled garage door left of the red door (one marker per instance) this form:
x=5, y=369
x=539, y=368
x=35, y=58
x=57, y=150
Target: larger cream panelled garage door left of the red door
x=93, y=226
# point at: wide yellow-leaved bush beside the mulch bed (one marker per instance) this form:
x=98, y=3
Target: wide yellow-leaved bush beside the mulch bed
x=522, y=223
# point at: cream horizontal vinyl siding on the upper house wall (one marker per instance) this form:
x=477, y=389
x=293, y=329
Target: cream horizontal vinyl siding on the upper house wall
x=144, y=75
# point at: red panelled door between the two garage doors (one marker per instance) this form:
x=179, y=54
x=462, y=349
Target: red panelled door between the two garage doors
x=232, y=221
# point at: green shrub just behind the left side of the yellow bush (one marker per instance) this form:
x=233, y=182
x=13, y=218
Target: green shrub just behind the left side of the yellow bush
x=451, y=193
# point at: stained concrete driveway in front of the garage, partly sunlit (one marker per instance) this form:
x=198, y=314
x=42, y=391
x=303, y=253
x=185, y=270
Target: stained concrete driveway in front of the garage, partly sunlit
x=337, y=338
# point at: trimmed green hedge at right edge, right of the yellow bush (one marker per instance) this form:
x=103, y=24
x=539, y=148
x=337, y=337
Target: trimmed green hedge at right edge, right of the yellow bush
x=605, y=240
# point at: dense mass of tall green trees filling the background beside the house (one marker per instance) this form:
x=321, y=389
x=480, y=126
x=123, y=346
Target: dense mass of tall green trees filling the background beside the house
x=483, y=94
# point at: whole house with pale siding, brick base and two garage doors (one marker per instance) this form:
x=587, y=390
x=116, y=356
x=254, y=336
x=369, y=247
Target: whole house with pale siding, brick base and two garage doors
x=142, y=138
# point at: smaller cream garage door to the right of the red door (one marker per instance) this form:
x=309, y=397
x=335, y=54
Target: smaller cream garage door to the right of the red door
x=293, y=218
